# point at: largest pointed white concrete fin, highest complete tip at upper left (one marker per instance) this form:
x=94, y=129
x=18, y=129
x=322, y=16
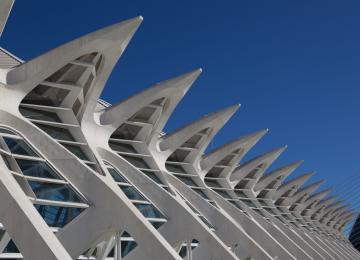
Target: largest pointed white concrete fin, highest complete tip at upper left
x=103, y=40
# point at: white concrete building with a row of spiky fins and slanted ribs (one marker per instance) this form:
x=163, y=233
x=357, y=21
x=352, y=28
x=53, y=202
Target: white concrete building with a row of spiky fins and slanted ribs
x=84, y=179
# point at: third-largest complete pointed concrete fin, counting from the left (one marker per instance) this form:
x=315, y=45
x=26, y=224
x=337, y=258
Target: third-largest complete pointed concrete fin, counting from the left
x=214, y=121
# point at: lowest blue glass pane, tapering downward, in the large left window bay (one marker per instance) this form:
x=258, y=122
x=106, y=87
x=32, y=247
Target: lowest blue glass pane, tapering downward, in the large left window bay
x=57, y=216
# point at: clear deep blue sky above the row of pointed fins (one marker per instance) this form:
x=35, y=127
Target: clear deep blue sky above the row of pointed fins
x=293, y=65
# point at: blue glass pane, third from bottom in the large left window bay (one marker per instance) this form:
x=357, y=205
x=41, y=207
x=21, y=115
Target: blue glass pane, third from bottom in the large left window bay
x=36, y=169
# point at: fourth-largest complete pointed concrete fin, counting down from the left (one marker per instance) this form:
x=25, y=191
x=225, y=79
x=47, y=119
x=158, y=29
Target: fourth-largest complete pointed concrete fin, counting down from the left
x=245, y=143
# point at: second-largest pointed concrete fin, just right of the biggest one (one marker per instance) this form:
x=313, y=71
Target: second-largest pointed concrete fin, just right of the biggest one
x=173, y=89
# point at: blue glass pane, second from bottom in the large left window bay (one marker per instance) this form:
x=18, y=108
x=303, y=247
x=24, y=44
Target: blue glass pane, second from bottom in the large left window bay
x=52, y=191
